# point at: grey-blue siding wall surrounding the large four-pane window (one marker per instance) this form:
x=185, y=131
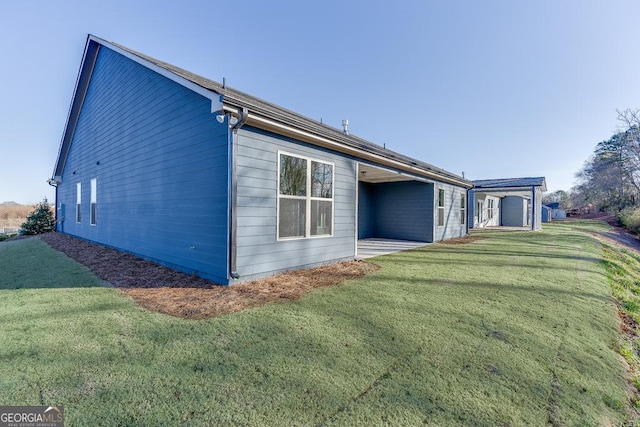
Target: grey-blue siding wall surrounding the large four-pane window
x=259, y=253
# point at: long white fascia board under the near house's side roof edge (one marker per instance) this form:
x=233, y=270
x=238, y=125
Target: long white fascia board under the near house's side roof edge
x=267, y=124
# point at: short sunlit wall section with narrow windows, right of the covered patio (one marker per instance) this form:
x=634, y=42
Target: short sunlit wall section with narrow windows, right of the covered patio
x=455, y=220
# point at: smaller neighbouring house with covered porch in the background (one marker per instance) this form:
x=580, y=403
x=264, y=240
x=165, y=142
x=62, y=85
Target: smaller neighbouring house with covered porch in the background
x=507, y=202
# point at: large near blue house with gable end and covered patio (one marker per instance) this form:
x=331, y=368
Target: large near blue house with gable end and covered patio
x=192, y=174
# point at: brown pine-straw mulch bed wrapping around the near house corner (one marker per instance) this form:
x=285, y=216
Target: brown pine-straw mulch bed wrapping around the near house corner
x=178, y=294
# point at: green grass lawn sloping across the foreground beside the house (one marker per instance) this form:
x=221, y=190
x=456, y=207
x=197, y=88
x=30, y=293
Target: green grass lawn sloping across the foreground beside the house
x=517, y=329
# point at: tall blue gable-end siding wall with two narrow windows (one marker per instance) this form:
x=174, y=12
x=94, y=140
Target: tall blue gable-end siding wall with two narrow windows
x=160, y=160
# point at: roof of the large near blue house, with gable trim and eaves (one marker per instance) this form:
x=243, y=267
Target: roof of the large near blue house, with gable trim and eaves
x=261, y=114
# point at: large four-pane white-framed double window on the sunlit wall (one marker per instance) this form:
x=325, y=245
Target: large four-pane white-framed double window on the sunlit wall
x=305, y=197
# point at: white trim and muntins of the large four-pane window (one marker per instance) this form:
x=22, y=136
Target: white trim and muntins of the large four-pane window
x=308, y=199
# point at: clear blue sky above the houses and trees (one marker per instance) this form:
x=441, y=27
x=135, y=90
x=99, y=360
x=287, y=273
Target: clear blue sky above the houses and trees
x=492, y=89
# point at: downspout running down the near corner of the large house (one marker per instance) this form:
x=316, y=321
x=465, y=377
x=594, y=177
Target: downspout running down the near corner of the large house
x=234, y=126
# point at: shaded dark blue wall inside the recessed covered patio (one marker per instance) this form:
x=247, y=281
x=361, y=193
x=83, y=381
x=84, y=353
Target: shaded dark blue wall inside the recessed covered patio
x=403, y=210
